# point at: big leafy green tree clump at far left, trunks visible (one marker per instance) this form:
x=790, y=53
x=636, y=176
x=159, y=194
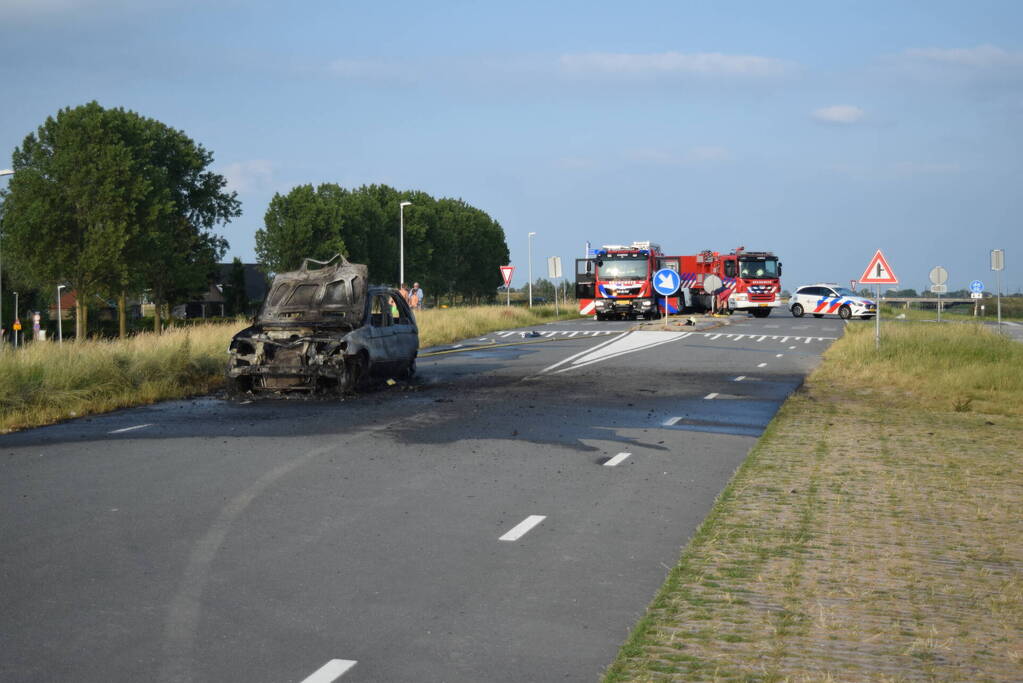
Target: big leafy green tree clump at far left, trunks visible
x=110, y=202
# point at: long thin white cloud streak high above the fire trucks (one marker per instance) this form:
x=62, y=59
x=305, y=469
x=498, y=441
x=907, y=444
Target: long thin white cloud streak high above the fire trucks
x=710, y=65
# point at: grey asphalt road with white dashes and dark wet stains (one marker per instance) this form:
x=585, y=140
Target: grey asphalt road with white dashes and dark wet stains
x=479, y=525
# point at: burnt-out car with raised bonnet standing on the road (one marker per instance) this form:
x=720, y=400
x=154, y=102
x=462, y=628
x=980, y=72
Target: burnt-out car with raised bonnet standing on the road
x=324, y=330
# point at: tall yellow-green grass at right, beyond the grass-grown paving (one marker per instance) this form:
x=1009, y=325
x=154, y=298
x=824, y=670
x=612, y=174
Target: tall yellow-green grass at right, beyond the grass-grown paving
x=966, y=366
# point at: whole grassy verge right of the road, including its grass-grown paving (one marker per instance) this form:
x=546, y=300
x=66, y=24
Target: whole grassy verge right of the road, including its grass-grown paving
x=873, y=534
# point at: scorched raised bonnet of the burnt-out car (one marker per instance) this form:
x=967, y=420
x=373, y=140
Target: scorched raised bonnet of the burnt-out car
x=335, y=294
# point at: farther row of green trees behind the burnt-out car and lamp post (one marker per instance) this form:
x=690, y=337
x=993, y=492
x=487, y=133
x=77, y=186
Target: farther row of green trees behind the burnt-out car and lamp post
x=451, y=248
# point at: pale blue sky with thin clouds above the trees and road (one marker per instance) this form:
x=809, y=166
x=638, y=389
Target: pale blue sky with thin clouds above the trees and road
x=822, y=131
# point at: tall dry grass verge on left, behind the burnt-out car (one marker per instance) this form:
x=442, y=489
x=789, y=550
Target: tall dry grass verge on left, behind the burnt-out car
x=46, y=383
